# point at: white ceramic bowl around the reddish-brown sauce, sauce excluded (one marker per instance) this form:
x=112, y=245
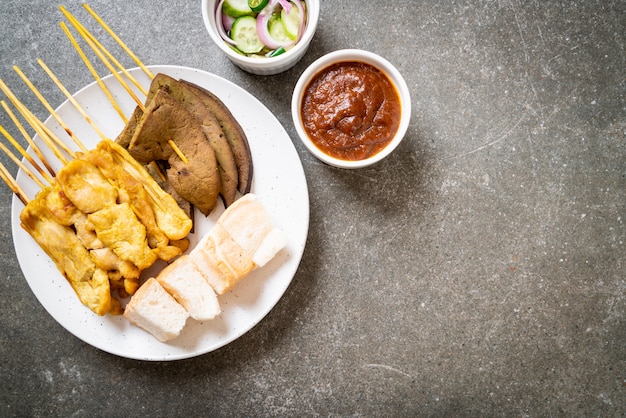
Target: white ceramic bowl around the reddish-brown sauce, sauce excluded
x=351, y=55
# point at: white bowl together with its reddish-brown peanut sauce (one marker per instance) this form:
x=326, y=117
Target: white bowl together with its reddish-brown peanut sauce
x=351, y=108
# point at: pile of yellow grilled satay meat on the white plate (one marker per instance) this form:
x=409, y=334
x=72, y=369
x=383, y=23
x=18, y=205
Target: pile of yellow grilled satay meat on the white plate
x=102, y=222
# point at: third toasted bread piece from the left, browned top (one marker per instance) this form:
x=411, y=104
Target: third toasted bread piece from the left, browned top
x=222, y=261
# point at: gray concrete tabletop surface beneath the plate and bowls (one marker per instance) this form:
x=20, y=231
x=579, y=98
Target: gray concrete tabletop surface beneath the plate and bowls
x=478, y=271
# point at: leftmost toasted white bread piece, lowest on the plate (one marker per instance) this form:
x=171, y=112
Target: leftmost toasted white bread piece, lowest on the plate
x=156, y=311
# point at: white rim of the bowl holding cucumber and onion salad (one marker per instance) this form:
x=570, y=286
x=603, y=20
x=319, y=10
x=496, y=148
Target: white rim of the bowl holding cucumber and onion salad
x=313, y=12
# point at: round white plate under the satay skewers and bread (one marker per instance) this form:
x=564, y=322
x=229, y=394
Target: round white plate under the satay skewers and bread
x=278, y=180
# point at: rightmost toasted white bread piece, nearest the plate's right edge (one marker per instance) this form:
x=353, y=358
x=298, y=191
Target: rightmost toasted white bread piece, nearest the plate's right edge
x=249, y=224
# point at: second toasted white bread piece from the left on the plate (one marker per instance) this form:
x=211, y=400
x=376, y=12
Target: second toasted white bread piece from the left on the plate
x=189, y=287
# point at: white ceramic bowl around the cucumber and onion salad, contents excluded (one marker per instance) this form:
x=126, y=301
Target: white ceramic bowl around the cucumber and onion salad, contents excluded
x=264, y=66
